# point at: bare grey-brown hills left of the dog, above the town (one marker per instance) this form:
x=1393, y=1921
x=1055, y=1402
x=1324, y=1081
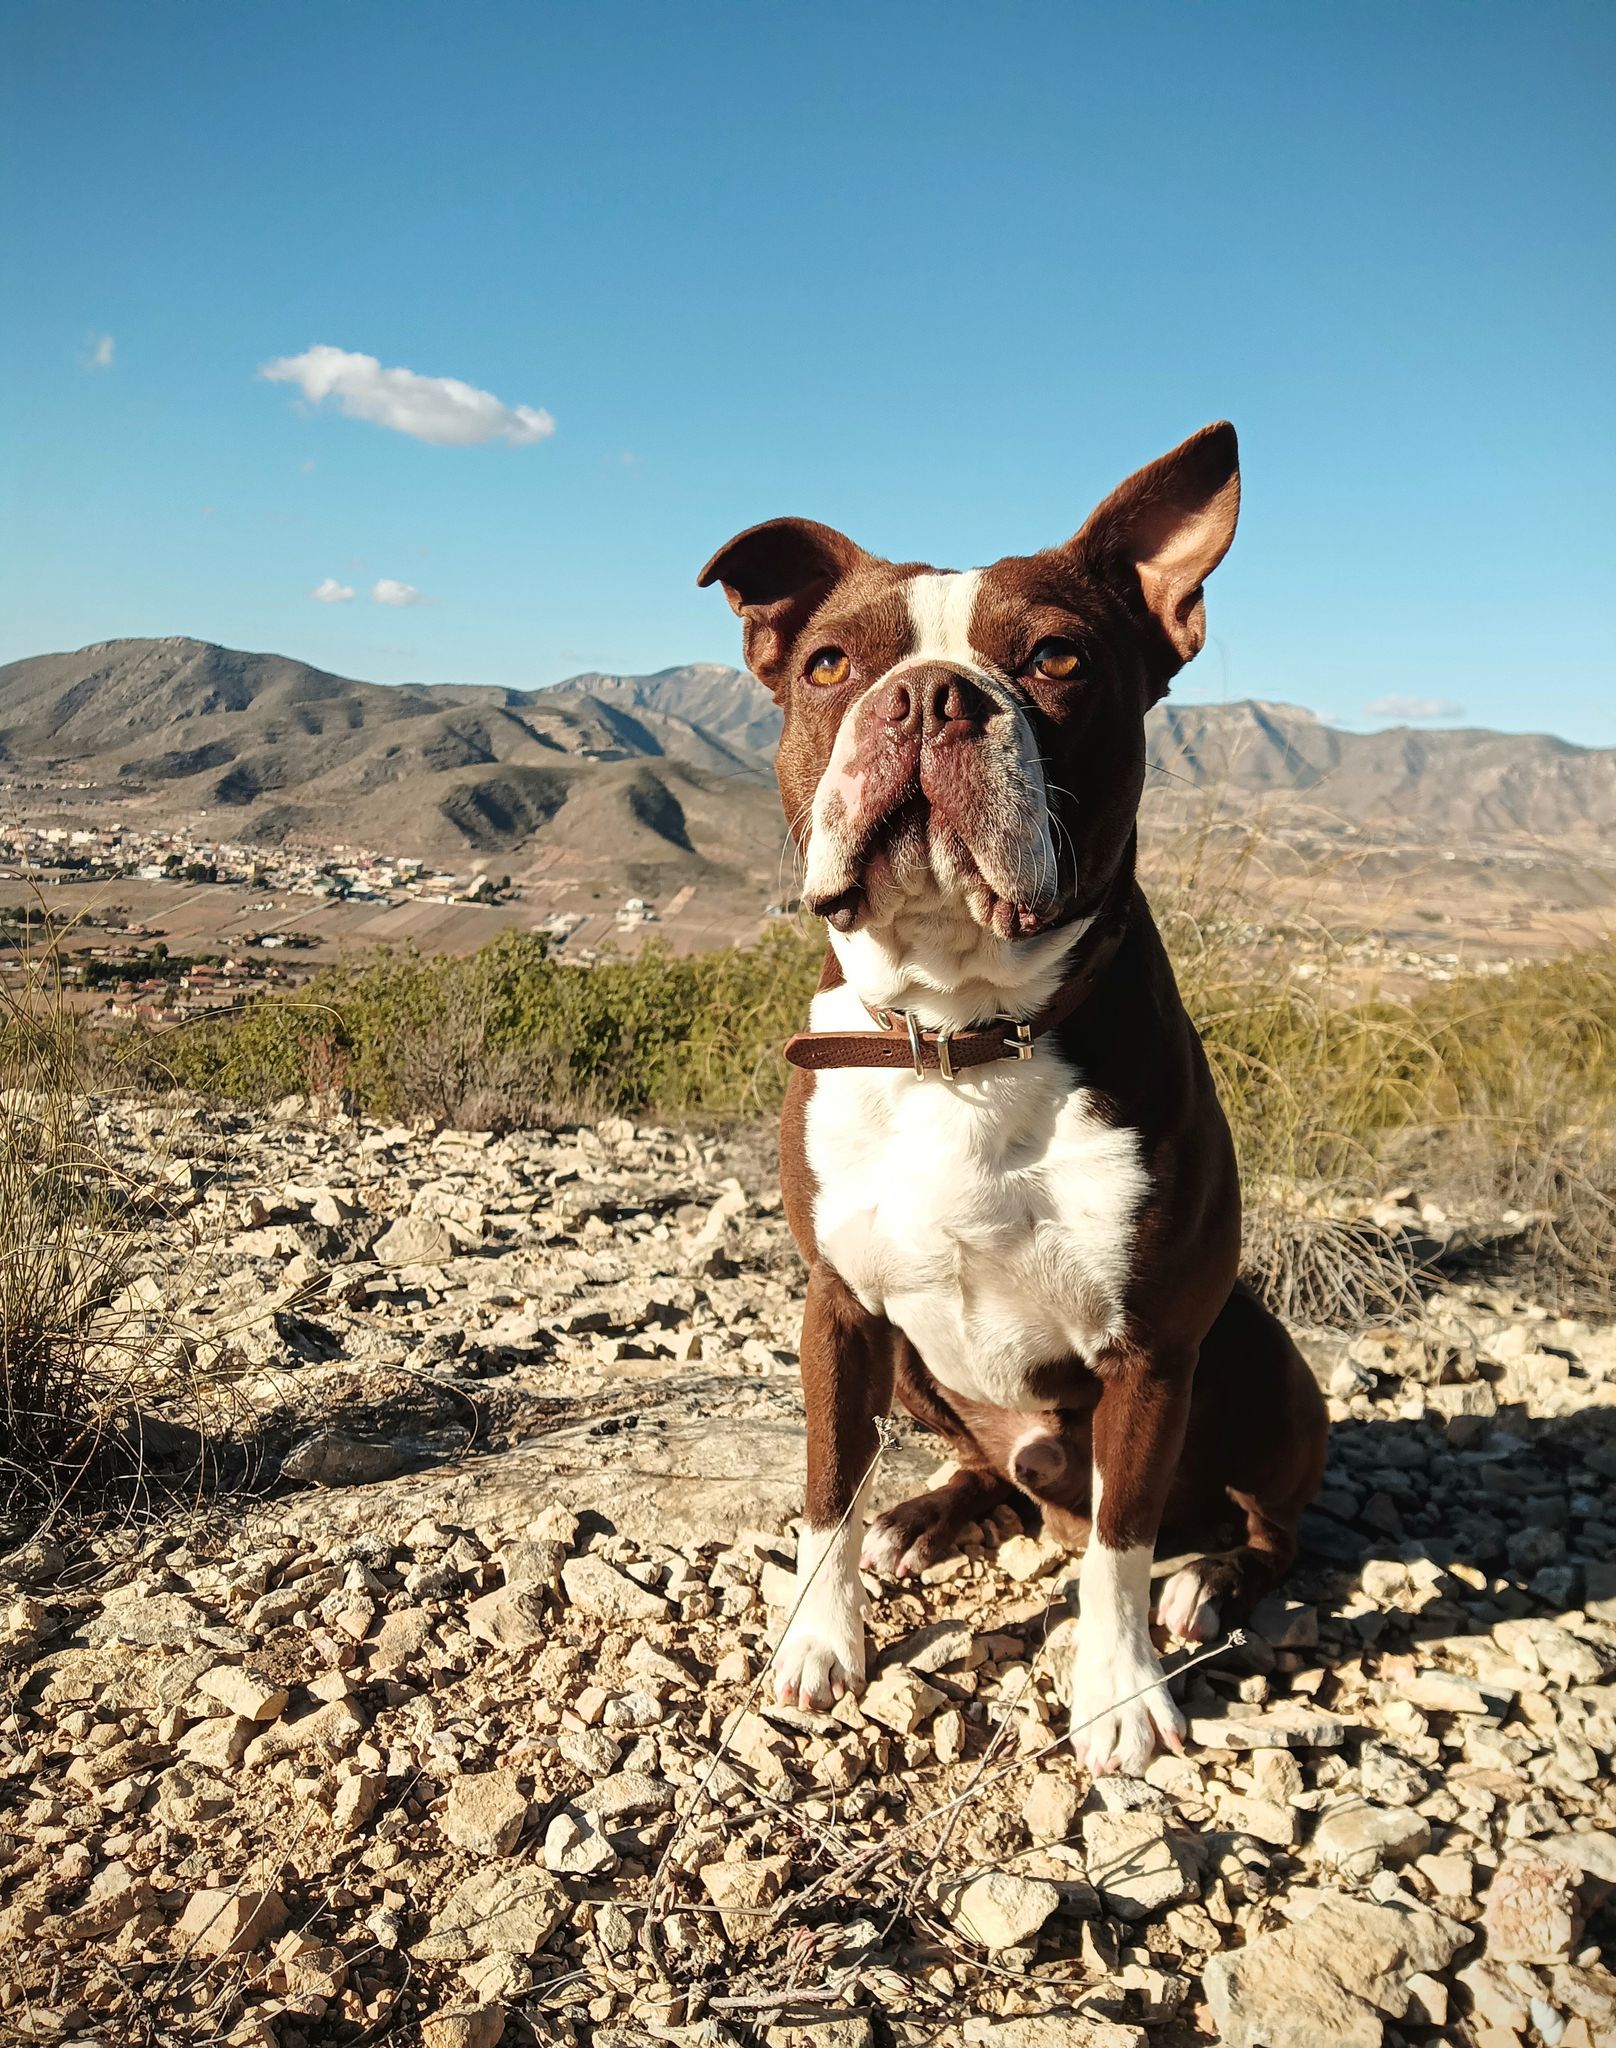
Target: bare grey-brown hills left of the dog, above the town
x=275, y=751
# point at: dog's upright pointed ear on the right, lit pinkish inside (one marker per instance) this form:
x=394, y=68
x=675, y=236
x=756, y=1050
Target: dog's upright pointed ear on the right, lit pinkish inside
x=1164, y=531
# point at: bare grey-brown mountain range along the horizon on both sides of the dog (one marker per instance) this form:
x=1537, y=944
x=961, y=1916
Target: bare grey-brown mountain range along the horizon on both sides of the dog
x=656, y=779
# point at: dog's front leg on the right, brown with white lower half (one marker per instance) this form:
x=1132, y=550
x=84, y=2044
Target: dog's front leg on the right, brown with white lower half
x=1138, y=1437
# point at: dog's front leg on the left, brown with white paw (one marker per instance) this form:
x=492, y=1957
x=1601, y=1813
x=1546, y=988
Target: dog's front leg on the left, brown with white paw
x=847, y=1390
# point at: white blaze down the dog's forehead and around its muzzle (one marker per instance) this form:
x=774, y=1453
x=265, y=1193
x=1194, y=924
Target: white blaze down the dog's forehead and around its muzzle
x=1011, y=843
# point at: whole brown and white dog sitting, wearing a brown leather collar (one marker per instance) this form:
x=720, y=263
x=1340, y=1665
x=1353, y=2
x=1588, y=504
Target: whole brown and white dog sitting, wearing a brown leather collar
x=1003, y=1154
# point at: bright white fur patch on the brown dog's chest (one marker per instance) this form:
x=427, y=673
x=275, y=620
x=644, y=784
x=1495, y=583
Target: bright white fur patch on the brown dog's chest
x=988, y=1220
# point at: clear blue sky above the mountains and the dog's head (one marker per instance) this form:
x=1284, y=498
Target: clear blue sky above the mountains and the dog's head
x=939, y=275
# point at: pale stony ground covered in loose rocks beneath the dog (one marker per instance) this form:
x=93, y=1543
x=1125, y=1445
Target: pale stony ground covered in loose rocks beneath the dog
x=450, y=1723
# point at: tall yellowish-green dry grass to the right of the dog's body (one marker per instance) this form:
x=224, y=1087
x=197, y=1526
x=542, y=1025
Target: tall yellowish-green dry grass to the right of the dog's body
x=1496, y=1093
